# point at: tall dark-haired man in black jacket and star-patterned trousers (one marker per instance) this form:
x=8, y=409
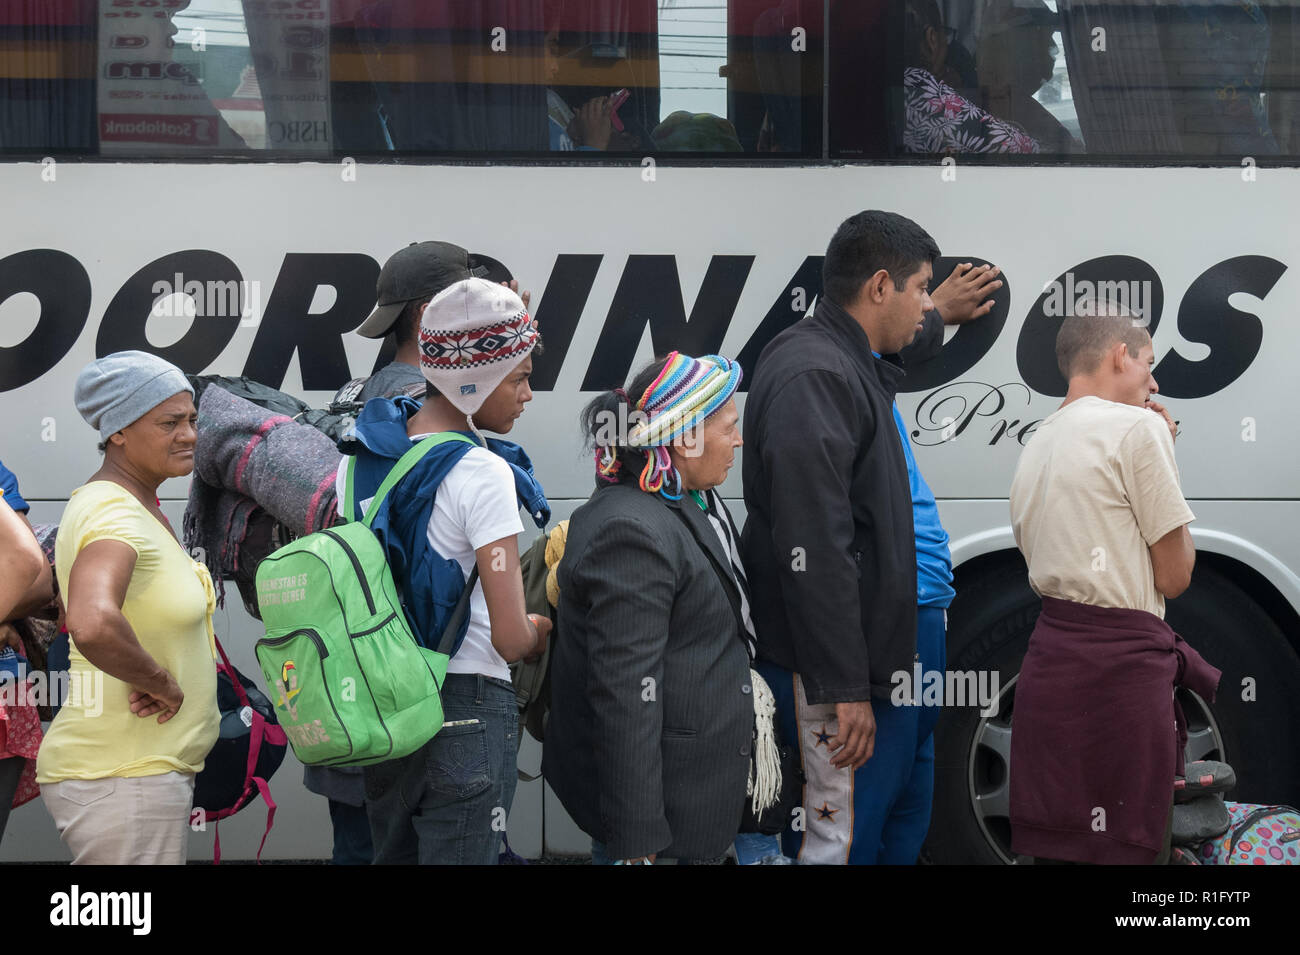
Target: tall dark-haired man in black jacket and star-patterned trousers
x=830, y=540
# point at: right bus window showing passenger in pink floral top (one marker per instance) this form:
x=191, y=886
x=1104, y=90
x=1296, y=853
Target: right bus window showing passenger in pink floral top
x=1061, y=80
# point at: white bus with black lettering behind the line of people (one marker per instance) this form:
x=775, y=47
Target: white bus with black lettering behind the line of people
x=279, y=151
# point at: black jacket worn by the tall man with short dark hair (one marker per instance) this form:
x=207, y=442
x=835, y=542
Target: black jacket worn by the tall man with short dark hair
x=829, y=542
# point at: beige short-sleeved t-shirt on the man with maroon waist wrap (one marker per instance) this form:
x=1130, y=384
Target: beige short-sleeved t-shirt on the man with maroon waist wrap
x=1095, y=488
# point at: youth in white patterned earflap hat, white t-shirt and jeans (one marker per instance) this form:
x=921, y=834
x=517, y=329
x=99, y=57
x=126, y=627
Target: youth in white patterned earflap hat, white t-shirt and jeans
x=476, y=340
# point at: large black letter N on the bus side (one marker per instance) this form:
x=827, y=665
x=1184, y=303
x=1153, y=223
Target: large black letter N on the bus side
x=651, y=294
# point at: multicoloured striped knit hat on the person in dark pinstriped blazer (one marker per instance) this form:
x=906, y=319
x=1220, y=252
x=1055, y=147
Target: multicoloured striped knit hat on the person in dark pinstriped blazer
x=684, y=396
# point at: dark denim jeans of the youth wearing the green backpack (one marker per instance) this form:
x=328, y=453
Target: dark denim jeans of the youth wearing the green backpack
x=447, y=804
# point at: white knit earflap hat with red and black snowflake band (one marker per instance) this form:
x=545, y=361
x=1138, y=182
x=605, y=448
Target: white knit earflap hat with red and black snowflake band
x=473, y=335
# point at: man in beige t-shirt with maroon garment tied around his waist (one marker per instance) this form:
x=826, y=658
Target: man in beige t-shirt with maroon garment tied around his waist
x=1098, y=511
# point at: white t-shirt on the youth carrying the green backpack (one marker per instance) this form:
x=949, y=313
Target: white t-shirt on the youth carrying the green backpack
x=475, y=506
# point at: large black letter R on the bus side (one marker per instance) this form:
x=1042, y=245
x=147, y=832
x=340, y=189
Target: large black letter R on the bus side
x=287, y=325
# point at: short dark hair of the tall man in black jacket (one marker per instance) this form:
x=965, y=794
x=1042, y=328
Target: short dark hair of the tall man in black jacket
x=869, y=242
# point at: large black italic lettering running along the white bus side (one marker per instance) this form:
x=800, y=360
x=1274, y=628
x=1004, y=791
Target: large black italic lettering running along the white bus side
x=648, y=294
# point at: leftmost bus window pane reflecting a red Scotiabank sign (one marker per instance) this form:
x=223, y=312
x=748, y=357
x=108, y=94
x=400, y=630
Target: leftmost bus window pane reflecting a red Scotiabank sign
x=158, y=79
